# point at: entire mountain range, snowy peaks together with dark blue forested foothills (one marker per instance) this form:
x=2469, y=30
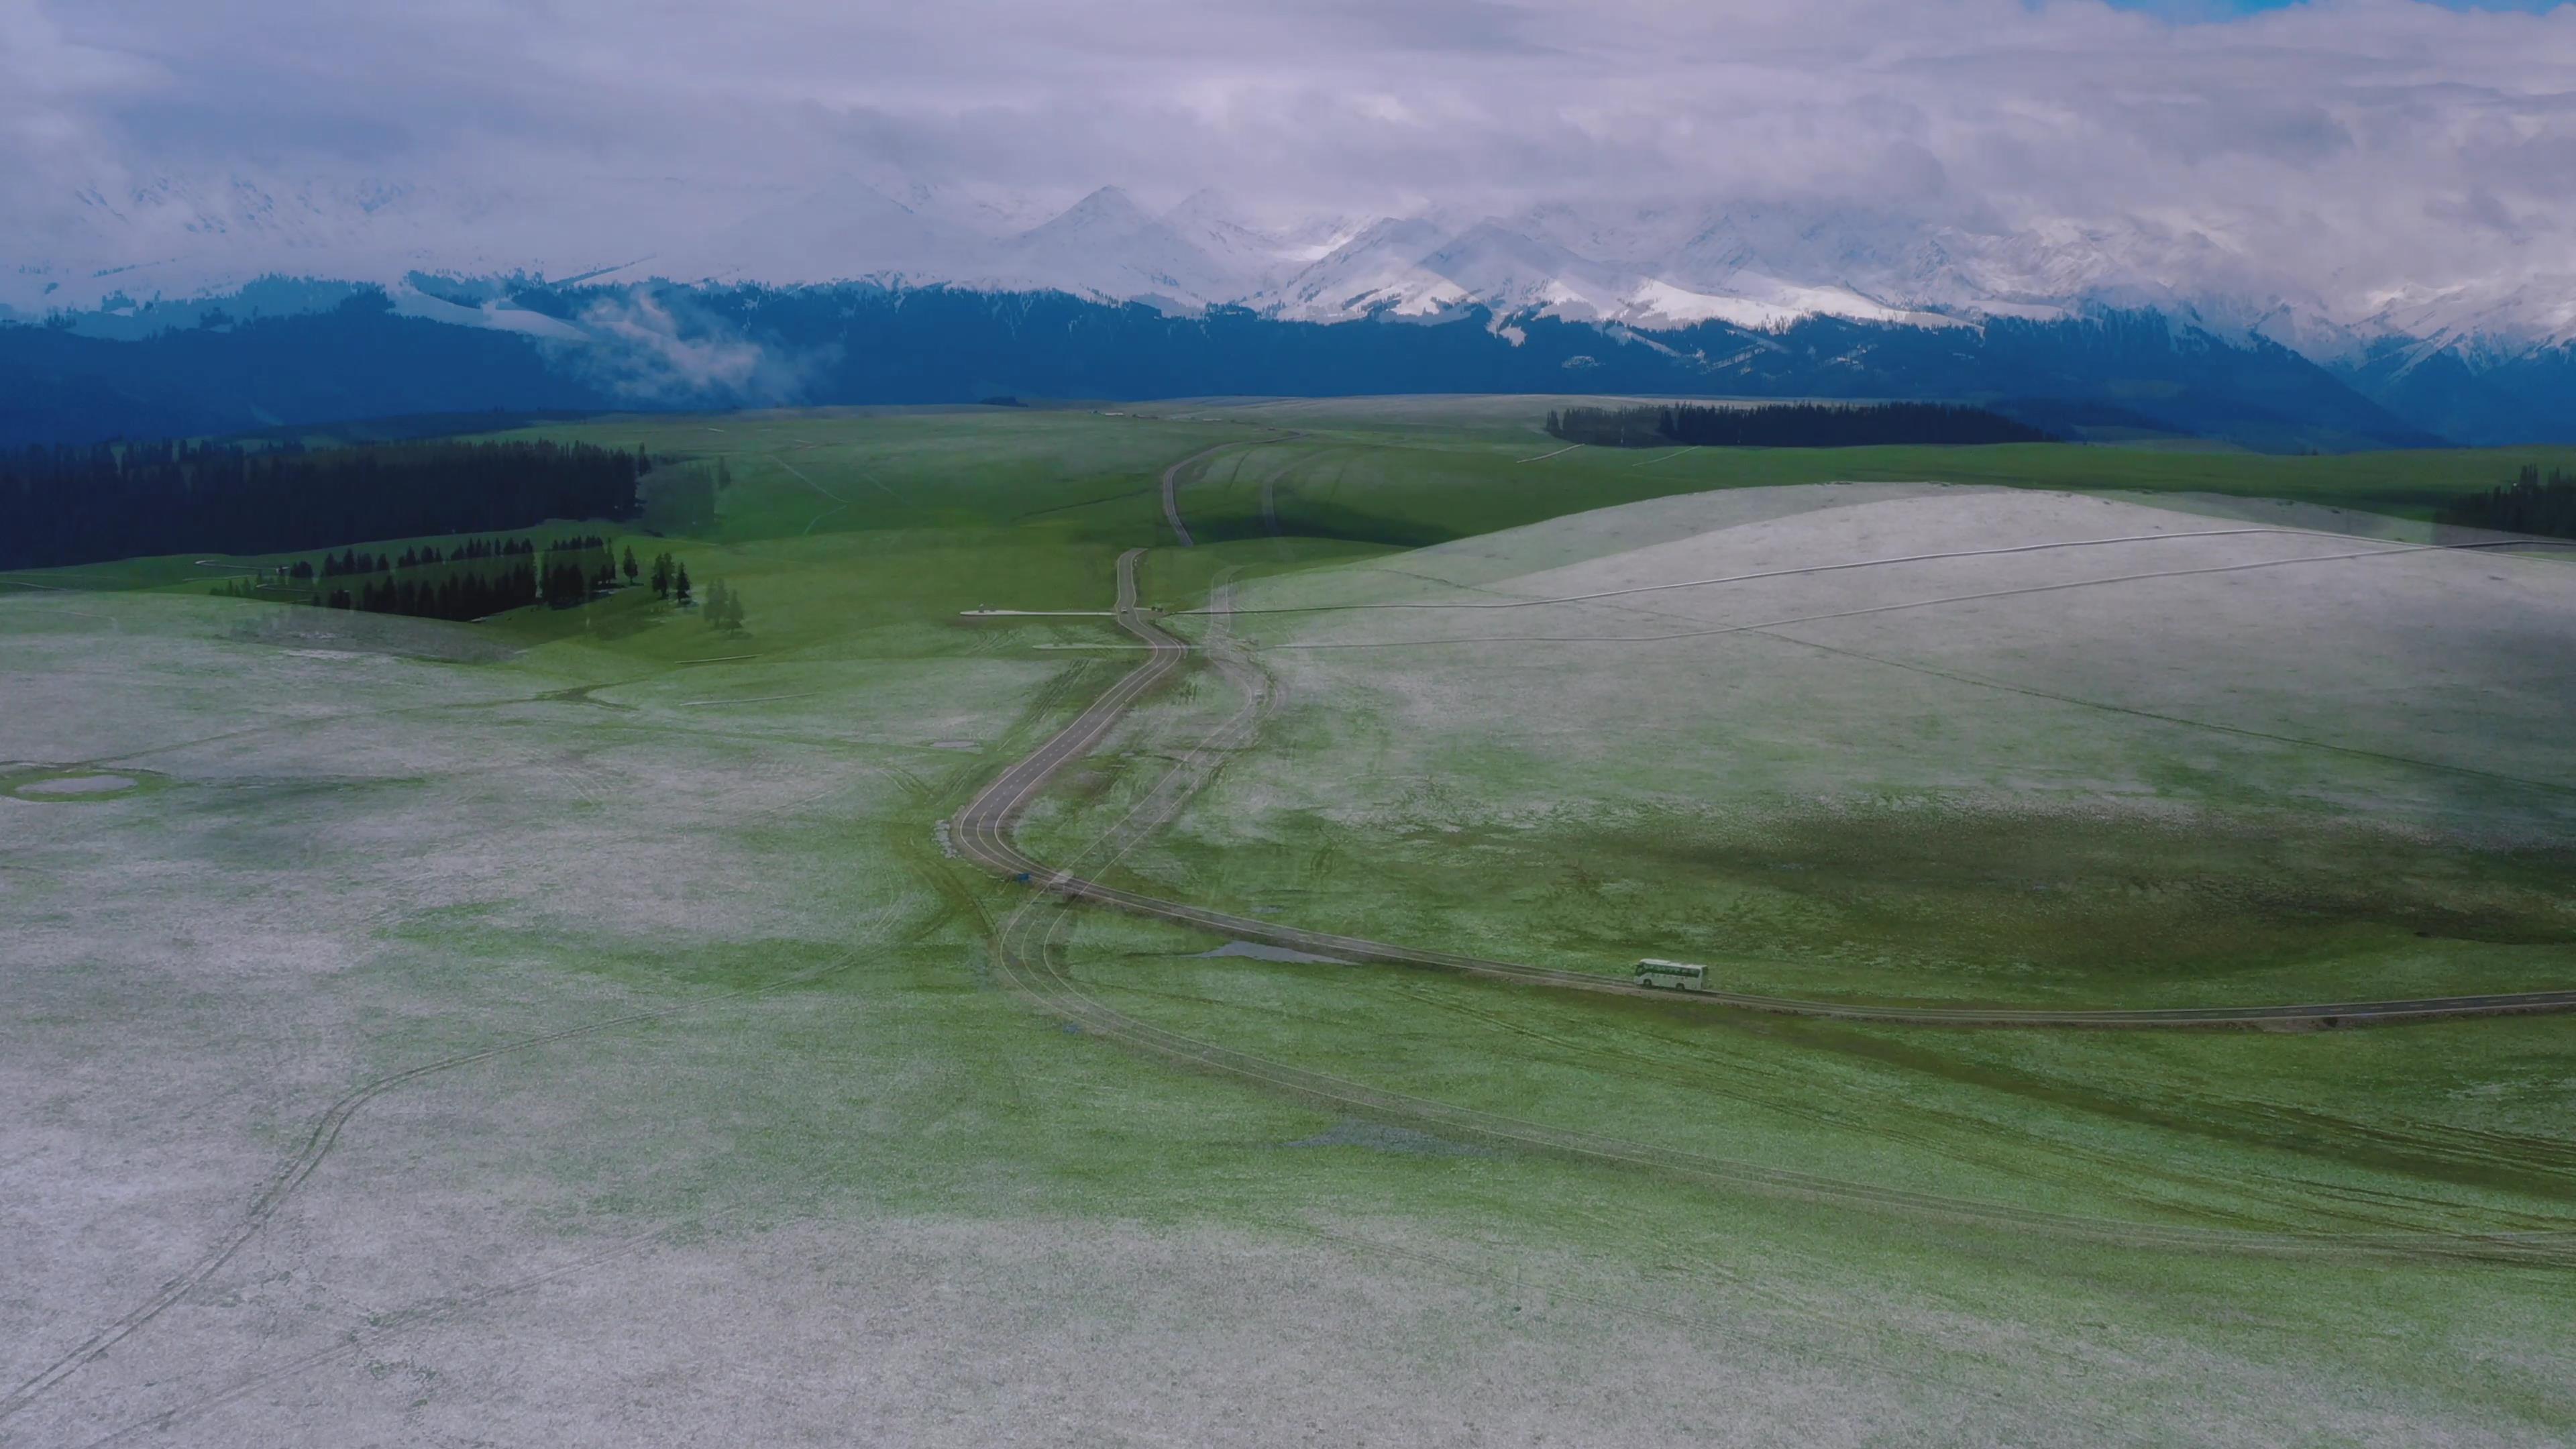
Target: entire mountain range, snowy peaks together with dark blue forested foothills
x=846, y=293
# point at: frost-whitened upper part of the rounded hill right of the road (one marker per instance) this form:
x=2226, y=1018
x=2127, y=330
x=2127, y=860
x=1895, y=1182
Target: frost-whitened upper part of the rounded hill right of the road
x=1993, y=641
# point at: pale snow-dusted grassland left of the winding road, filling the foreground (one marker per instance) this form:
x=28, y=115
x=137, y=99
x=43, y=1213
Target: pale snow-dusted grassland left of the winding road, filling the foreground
x=573, y=1226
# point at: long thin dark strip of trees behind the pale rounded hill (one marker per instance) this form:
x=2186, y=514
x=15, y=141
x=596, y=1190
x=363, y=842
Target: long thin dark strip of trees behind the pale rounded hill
x=1789, y=427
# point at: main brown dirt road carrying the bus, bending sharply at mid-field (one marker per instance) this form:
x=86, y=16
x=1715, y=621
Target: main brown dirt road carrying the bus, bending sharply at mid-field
x=983, y=831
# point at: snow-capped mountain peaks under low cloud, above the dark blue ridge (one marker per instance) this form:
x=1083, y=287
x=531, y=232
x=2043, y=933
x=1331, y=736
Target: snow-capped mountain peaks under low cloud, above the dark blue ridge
x=148, y=257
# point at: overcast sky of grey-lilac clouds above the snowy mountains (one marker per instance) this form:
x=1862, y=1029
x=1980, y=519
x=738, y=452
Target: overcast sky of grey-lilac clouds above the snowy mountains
x=2384, y=143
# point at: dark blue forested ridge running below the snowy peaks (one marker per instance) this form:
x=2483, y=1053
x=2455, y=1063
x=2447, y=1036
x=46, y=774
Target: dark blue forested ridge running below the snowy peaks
x=877, y=344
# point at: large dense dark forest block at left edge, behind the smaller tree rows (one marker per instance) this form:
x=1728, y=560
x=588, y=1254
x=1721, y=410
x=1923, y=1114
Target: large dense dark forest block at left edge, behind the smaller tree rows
x=71, y=507
